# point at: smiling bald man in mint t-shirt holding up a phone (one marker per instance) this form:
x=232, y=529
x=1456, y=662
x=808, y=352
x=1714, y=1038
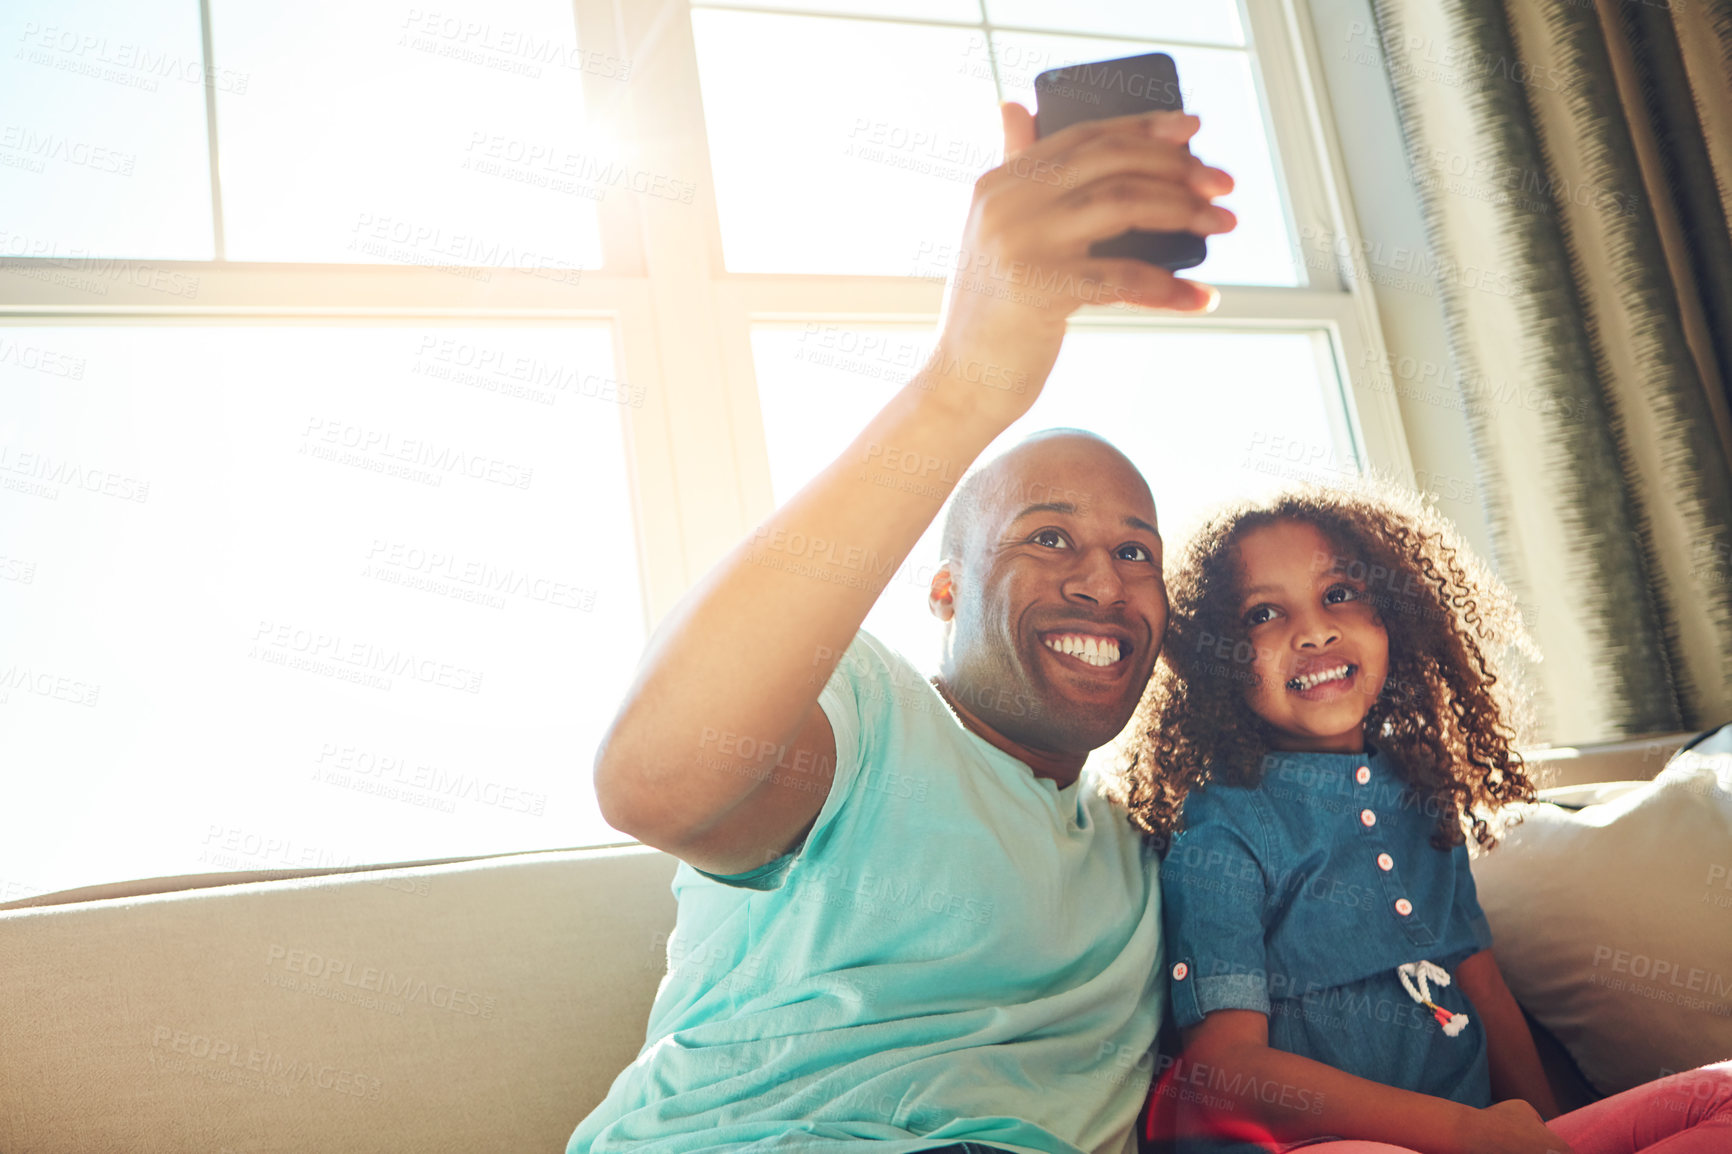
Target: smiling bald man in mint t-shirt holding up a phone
x=905, y=921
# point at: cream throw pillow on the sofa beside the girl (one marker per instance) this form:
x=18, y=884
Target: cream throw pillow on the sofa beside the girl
x=1613, y=924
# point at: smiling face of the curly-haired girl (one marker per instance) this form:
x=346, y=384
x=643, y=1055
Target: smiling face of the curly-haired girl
x=1322, y=652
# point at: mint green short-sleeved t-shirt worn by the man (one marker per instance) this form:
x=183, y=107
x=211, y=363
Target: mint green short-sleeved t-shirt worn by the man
x=960, y=952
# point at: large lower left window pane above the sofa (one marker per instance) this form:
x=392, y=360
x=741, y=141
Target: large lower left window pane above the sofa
x=299, y=595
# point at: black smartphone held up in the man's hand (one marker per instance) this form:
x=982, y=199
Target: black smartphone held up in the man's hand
x=1135, y=84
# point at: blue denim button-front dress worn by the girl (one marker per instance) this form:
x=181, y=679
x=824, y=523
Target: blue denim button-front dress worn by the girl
x=1303, y=898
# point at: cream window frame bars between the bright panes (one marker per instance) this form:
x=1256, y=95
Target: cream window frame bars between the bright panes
x=683, y=323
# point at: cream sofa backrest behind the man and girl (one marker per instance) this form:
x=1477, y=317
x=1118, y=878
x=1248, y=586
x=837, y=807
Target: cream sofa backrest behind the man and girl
x=469, y=1006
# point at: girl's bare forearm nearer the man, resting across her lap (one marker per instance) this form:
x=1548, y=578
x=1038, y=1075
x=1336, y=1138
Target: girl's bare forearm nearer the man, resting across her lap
x=1229, y=1056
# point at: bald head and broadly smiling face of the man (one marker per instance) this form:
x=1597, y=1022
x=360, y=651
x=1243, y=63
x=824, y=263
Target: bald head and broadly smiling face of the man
x=1056, y=602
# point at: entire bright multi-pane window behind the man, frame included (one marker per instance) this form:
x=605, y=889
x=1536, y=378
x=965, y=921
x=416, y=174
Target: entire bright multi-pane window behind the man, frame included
x=375, y=379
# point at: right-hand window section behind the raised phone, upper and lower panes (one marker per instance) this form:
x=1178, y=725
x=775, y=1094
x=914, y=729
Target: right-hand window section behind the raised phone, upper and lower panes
x=896, y=117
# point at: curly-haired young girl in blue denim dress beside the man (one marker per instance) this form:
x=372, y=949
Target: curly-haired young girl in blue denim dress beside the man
x=1331, y=723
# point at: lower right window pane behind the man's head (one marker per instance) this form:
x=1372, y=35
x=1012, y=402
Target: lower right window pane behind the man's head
x=1272, y=394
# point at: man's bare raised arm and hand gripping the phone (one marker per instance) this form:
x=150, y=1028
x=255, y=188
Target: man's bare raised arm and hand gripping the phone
x=730, y=684
